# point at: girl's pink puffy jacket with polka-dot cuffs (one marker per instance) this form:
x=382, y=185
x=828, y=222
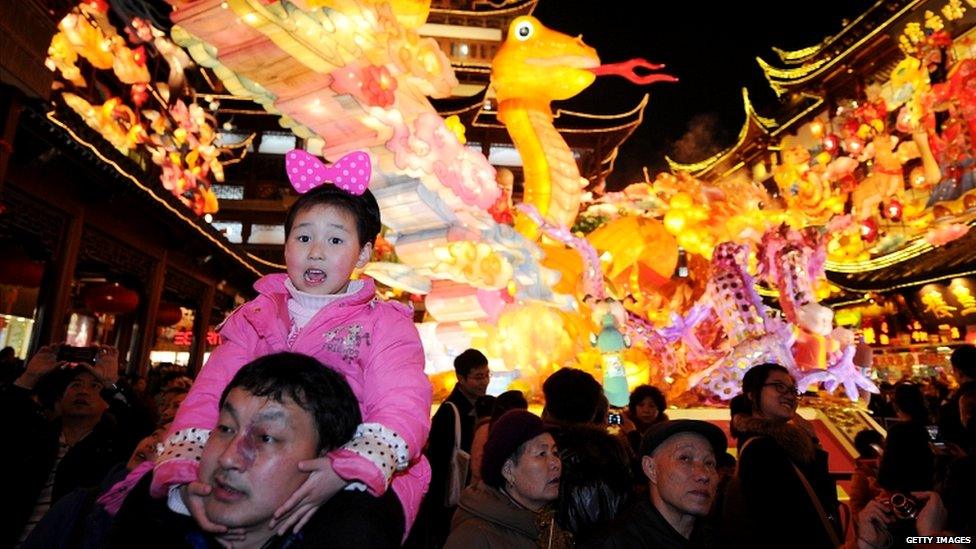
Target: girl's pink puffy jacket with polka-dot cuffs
x=372, y=343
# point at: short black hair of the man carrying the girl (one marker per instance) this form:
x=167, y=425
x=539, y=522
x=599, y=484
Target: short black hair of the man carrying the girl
x=313, y=386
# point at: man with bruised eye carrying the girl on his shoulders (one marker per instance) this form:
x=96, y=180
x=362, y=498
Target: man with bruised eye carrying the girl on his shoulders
x=278, y=410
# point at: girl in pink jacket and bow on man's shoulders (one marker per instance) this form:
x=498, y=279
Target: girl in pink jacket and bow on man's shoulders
x=315, y=309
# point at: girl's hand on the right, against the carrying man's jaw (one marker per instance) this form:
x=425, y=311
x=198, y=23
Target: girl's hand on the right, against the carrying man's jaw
x=322, y=483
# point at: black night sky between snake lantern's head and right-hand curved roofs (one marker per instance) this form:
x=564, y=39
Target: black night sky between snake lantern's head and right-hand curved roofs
x=710, y=47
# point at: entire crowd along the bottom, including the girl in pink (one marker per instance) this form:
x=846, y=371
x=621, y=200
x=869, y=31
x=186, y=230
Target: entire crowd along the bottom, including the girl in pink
x=310, y=426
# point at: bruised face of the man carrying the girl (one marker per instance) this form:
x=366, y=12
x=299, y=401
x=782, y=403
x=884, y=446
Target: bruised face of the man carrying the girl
x=251, y=459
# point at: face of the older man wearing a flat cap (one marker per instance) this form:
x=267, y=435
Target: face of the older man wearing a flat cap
x=683, y=475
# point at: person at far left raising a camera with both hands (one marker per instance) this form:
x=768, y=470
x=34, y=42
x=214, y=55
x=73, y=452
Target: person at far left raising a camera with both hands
x=94, y=426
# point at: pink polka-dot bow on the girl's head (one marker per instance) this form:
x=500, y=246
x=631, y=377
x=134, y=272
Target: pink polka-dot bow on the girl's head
x=350, y=173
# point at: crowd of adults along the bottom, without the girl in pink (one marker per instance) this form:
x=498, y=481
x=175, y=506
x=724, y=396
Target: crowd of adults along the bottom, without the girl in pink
x=90, y=445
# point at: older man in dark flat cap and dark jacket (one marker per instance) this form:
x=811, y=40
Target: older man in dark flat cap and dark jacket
x=679, y=458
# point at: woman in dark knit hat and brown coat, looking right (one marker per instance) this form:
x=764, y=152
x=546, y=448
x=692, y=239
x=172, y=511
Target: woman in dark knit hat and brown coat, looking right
x=510, y=508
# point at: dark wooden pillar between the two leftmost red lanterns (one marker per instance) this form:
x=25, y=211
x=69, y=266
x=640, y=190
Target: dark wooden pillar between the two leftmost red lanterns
x=53, y=329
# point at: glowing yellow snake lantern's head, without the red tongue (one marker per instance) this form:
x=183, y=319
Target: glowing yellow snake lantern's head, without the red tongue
x=536, y=62
